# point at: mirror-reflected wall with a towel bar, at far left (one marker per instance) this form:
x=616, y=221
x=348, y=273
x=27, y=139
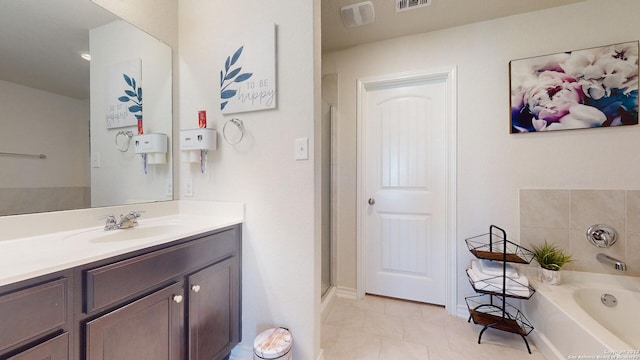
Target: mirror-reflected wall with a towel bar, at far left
x=39, y=122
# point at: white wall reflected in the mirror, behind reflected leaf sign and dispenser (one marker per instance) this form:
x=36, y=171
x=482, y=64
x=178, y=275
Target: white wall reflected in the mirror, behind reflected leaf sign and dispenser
x=120, y=177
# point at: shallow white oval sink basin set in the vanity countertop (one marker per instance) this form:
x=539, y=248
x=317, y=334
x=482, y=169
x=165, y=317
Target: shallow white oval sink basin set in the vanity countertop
x=138, y=232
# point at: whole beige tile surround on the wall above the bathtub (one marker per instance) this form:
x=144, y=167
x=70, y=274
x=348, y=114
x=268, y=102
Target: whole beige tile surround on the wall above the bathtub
x=562, y=216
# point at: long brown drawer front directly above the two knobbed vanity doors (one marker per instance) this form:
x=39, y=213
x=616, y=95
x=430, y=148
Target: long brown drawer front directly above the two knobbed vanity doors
x=113, y=283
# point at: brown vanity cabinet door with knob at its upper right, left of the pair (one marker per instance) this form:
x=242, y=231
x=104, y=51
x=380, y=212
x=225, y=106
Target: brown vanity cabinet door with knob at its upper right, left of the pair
x=148, y=329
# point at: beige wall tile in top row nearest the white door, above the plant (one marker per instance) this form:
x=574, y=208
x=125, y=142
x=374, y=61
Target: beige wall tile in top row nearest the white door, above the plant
x=544, y=208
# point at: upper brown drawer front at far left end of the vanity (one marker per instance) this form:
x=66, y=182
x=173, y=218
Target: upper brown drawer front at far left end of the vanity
x=32, y=312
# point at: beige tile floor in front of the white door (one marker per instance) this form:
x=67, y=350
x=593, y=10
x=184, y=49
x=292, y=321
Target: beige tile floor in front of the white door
x=388, y=329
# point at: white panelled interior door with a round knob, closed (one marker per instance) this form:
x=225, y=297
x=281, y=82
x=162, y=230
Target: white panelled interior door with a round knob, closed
x=405, y=189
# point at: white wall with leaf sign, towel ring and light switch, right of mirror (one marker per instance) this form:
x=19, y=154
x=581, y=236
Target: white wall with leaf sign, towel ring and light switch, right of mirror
x=280, y=253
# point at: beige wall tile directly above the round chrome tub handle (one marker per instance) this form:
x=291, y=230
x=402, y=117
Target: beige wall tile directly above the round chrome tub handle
x=589, y=207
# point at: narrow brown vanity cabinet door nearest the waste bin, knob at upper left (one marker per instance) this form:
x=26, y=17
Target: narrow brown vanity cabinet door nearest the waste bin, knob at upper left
x=214, y=315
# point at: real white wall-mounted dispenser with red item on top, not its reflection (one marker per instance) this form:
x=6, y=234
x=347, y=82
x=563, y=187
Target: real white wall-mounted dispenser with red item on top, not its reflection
x=195, y=145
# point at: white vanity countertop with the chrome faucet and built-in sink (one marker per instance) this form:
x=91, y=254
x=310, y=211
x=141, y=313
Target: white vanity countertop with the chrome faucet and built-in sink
x=39, y=253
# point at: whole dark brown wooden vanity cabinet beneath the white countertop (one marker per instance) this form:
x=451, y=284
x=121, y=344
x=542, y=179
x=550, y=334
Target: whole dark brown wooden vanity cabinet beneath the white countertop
x=177, y=301
